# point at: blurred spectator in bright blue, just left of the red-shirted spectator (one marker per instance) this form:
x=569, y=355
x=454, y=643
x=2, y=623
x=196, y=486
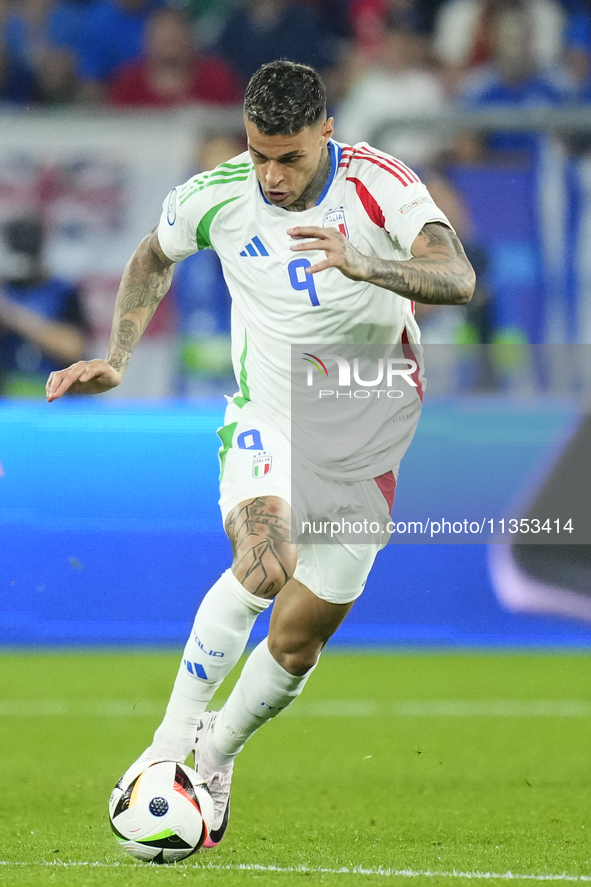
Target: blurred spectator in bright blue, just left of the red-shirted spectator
x=113, y=34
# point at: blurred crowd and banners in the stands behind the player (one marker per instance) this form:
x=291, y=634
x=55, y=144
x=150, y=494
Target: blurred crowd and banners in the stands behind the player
x=107, y=104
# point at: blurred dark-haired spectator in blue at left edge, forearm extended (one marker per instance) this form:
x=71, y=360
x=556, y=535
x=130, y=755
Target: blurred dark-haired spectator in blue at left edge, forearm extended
x=42, y=325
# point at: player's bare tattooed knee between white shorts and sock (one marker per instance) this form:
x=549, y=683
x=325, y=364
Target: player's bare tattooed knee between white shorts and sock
x=260, y=538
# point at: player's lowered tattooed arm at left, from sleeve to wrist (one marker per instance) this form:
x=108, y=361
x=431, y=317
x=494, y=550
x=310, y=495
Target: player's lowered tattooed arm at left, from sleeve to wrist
x=144, y=283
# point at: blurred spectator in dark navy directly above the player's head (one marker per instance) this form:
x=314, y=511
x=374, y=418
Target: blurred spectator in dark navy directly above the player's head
x=259, y=31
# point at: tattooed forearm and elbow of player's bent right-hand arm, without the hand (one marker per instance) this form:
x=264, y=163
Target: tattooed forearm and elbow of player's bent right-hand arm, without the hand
x=443, y=276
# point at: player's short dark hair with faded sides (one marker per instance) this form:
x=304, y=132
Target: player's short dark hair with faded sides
x=282, y=98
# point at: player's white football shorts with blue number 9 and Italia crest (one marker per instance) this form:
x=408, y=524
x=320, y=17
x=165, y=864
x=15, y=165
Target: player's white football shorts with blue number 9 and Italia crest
x=255, y=460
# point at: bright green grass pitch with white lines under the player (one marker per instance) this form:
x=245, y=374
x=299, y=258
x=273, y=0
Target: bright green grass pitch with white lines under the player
x=417, y=768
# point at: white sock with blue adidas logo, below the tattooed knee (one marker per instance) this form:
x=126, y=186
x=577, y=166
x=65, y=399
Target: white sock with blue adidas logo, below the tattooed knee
x=220, y=632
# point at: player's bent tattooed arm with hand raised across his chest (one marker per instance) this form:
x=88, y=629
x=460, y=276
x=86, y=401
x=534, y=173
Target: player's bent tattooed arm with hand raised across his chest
x=438, y=274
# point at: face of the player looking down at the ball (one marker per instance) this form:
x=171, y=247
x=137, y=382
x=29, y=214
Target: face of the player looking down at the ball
x=285, y=165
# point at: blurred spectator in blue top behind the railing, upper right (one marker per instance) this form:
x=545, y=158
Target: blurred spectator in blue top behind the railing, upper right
x=513, y=76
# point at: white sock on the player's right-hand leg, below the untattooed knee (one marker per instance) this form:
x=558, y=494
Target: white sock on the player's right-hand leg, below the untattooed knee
x=263, y=690
